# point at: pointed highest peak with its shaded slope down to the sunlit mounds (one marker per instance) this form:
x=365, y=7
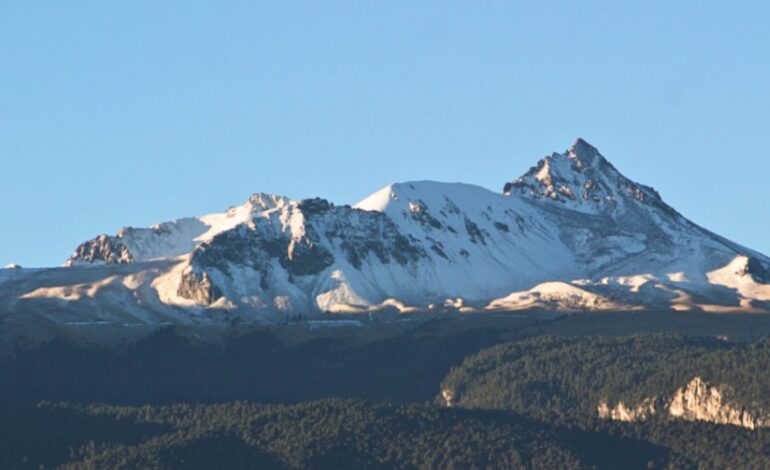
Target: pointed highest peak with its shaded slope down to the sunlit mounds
x=605, y=215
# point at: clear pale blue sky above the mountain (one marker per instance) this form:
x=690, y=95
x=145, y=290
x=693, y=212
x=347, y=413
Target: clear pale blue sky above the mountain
x=131, y=113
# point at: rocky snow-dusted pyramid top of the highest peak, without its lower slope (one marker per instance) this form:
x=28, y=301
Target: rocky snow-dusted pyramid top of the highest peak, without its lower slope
x=582, y=179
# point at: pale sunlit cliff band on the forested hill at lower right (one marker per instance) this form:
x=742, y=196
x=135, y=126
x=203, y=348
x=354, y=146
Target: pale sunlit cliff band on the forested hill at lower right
x=696, y=401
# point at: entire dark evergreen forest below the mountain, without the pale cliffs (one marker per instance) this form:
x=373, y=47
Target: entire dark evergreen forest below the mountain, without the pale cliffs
x=530, y=403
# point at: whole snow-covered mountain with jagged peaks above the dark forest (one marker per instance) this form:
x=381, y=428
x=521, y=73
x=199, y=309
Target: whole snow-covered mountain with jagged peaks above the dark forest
x=572, y=233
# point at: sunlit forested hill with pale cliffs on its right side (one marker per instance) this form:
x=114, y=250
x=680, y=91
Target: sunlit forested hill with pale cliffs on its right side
x=635, y=378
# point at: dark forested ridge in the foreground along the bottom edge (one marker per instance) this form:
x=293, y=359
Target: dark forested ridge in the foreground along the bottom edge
x=328, y=434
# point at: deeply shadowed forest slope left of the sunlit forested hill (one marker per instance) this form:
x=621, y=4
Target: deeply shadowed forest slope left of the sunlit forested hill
x=167, y=367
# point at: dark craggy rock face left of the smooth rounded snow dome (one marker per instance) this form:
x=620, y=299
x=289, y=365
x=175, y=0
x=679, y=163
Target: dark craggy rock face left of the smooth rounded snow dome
x=302, y=238
